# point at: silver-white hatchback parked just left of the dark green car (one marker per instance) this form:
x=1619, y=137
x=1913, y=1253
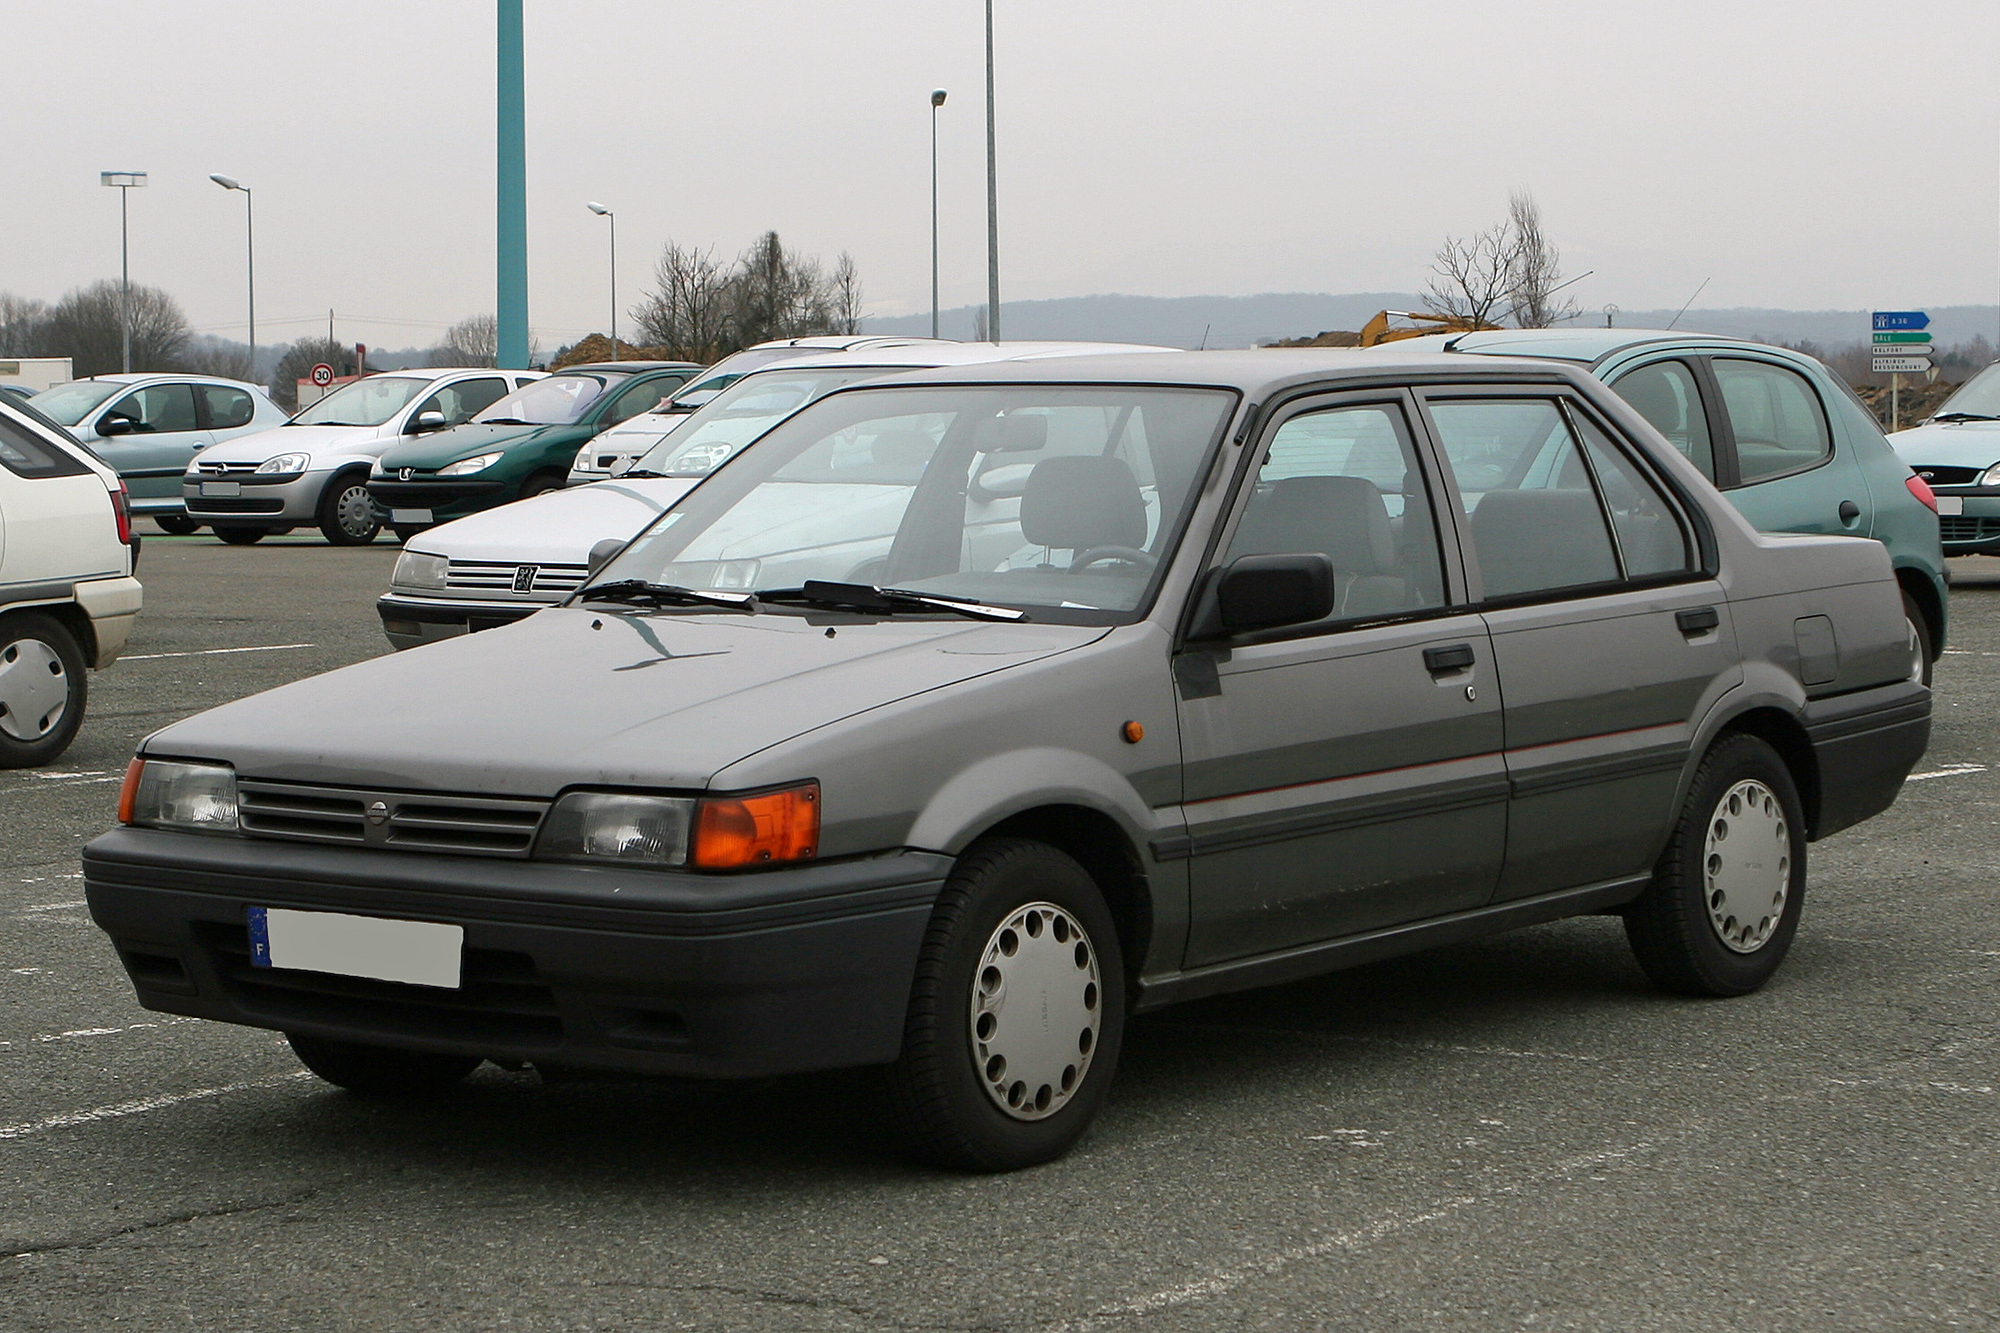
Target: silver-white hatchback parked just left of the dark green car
x=315, y=467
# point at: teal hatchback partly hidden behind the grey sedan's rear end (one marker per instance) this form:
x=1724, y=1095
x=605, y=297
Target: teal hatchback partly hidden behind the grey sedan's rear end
x=1781, y=435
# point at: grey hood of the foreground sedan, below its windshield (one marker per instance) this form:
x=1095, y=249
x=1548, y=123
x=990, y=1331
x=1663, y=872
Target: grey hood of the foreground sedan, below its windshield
x=597, y=698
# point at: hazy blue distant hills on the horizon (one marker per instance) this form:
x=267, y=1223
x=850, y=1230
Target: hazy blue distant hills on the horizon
x=1249, y=321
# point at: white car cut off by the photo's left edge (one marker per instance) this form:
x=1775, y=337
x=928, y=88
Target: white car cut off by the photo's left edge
x=67, y=589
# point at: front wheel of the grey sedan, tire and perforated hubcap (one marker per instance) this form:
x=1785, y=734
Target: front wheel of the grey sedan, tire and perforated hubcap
x=1017, y=918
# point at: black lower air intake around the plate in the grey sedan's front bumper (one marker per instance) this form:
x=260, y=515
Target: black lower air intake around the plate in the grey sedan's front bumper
x=501, y=996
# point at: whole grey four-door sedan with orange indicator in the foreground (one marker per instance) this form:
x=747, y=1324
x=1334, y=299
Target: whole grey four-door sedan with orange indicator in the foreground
x=1093, y=688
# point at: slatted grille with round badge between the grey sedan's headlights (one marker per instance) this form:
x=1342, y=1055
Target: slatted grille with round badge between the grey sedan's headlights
x=405, y=822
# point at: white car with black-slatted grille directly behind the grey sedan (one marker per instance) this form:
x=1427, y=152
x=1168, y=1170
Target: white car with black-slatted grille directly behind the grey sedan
x=507, y=563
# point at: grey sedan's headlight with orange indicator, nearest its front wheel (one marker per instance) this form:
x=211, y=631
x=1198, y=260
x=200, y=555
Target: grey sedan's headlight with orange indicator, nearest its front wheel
x=713, y=834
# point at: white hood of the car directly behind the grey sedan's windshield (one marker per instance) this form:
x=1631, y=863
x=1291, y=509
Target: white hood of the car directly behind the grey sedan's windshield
x=557, y=527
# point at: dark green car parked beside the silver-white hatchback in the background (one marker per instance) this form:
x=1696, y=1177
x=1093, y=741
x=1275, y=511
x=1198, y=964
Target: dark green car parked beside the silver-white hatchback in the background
x=521, y=445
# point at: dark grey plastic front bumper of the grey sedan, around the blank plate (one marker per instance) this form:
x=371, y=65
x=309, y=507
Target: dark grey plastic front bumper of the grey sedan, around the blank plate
x=709, y=976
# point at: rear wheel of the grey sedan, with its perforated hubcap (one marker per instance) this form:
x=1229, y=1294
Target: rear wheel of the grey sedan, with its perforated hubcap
x=1725, y=898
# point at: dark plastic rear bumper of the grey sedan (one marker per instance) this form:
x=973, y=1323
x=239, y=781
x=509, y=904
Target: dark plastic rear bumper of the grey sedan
x=1865, y=748
